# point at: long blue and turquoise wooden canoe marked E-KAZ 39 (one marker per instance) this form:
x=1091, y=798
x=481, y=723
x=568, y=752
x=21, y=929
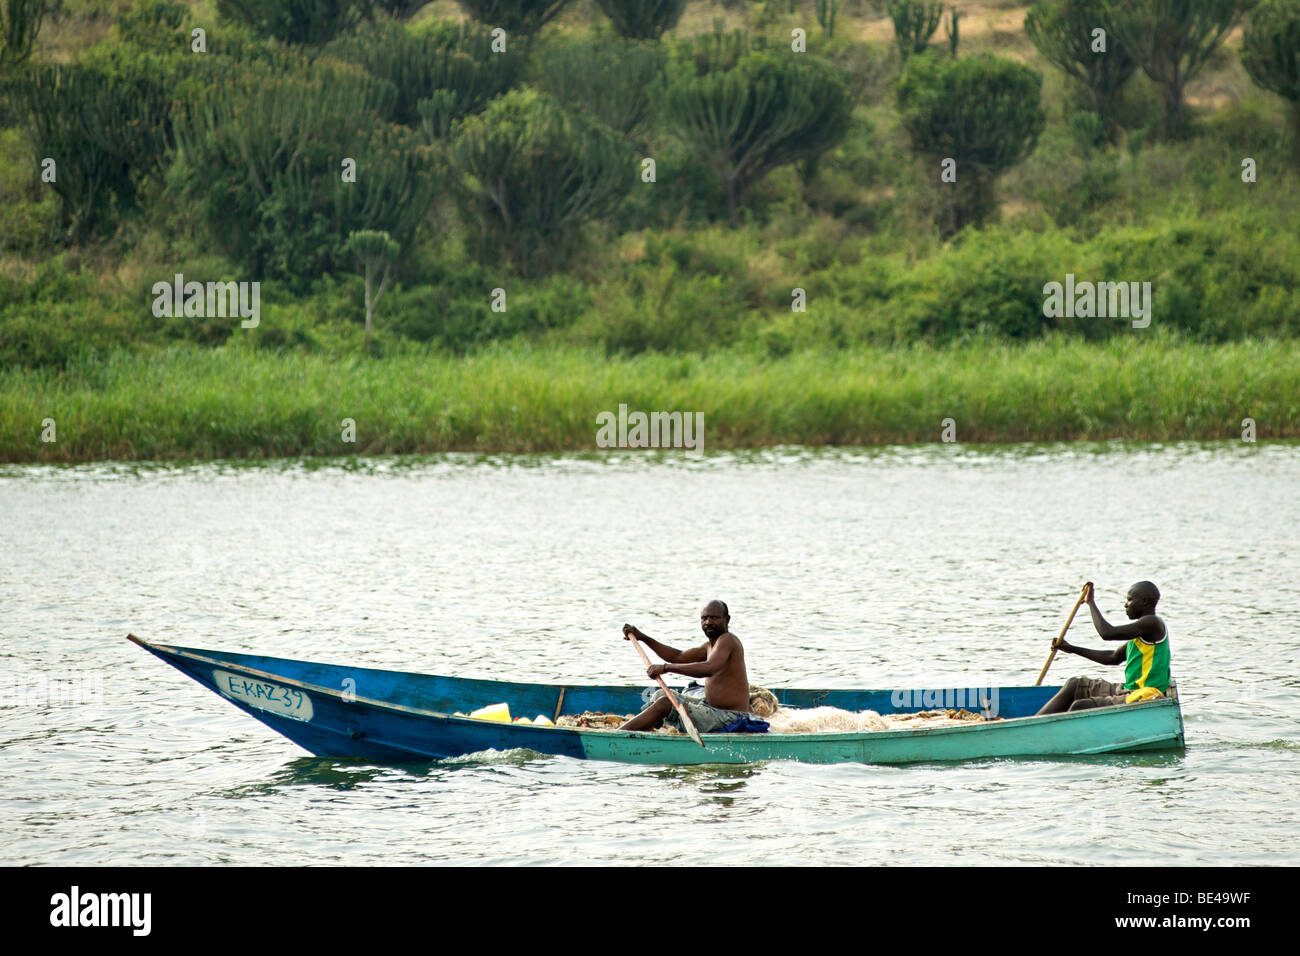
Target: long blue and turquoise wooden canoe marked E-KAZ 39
x=395, y=717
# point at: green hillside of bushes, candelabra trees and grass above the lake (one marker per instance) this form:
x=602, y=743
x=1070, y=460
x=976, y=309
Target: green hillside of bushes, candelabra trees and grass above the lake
x=751, y=183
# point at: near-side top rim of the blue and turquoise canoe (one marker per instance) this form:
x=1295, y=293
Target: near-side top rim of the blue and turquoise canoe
x=642, y=736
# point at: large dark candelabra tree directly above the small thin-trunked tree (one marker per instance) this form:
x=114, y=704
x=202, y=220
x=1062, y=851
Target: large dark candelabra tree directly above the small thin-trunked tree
x=262, y=153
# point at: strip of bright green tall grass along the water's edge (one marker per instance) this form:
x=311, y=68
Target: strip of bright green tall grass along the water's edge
x=189, y=403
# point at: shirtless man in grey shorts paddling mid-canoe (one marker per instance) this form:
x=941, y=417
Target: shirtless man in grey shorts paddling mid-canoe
x=721, y=663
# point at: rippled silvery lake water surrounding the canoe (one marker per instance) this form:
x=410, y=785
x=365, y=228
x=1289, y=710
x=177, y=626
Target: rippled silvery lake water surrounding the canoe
x=895, y=568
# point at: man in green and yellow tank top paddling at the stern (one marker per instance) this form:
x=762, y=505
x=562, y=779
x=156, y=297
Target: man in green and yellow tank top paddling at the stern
x=1146, y=657
